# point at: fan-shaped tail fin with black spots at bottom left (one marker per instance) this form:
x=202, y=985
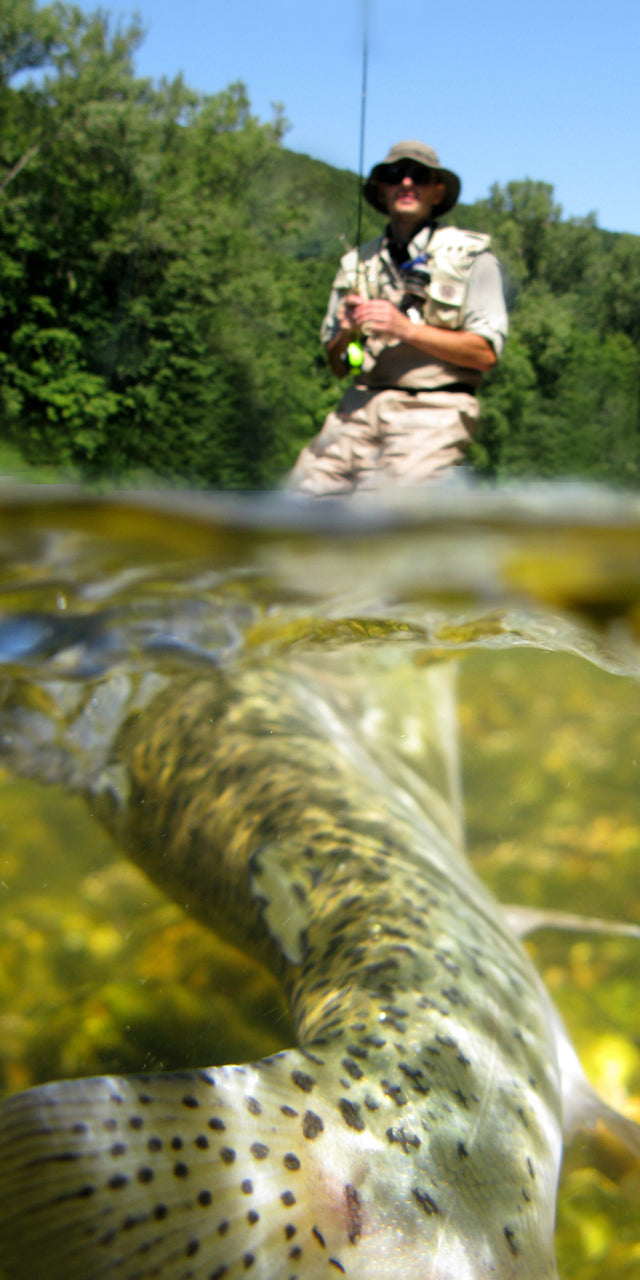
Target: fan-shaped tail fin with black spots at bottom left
x=138, y=1176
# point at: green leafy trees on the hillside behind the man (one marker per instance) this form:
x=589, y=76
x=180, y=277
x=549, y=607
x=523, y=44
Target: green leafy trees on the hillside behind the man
x=166, y=264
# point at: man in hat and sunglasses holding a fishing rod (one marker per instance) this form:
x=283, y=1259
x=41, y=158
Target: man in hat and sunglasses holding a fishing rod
x=419, y=316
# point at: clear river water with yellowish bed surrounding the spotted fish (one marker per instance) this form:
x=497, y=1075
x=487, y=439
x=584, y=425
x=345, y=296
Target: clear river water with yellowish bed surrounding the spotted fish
x=537, y=596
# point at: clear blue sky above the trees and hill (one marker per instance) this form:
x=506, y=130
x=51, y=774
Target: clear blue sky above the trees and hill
x=504, y=92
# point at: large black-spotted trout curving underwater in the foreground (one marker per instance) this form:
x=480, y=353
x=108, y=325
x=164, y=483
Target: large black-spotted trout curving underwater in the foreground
x=417, y=1131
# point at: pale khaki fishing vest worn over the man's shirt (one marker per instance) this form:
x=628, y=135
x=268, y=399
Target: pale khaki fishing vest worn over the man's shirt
x=449, y=254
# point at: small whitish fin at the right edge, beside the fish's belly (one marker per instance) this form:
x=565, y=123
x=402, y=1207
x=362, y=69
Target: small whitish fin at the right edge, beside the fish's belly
x=583, y=1108
